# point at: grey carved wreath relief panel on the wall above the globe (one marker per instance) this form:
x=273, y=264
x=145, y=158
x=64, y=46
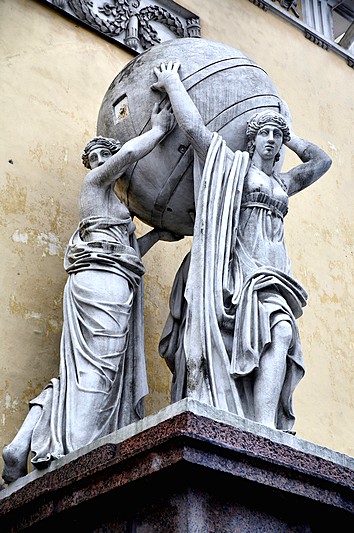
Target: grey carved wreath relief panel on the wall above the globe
x=139, y=24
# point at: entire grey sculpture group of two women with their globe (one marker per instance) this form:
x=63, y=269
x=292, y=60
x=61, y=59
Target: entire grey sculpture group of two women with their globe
x=231, y=339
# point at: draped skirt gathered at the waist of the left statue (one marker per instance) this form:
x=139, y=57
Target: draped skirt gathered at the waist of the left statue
x=101, y=336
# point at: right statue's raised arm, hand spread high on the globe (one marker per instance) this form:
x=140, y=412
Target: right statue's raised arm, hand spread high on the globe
x=184, y=109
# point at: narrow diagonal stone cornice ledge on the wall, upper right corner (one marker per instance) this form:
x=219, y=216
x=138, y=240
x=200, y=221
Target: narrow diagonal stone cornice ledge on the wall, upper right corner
x=309, y=33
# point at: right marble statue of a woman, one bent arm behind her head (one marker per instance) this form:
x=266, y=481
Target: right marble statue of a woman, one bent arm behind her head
x=231, y=339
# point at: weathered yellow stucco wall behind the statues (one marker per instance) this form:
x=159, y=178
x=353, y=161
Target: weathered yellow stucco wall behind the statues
x=54, y=74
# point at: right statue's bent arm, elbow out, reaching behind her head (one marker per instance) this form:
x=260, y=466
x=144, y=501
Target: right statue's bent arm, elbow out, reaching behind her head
x=315, y=162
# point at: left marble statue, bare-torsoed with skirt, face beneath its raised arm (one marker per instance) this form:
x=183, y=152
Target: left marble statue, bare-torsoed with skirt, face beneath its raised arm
x=102, y=377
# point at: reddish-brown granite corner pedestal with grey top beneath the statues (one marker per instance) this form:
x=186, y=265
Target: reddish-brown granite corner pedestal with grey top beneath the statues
x=190, y=468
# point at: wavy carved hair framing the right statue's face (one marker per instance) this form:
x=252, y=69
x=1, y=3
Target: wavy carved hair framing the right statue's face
x=259, y=122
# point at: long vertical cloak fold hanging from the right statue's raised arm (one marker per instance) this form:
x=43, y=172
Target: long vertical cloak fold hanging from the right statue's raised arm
x=217, y=209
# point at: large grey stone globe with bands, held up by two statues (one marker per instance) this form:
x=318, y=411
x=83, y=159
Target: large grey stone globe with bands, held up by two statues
x=227, y=88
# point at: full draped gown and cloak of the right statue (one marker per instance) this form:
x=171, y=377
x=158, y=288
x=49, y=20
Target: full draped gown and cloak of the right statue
x=237, y=287
